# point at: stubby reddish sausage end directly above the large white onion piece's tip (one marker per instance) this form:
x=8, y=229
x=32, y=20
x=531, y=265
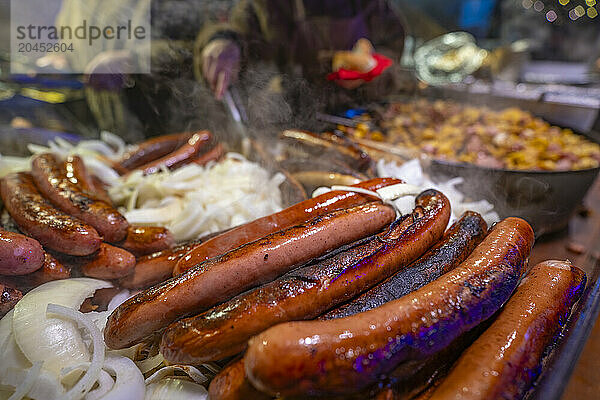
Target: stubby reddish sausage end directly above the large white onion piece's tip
x=109, y=263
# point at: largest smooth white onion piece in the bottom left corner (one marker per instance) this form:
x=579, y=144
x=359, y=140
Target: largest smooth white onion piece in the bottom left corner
x=55, y=341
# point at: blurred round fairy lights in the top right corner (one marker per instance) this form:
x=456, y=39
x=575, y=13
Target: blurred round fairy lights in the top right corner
x=559, y=11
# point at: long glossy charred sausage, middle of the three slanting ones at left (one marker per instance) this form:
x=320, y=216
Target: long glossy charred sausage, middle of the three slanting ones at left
x=54, y=183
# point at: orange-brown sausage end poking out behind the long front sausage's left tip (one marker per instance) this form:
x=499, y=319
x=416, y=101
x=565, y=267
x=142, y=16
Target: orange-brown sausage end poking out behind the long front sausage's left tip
x=156, y=267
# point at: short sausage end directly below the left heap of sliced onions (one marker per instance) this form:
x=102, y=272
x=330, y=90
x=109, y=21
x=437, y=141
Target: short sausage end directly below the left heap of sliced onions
x=143, y=240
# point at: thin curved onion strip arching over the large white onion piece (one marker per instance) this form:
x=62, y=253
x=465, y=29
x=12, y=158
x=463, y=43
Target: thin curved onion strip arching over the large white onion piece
x=91, y=375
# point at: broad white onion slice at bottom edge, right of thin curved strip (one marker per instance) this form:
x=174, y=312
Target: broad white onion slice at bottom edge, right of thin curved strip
x=129, y=381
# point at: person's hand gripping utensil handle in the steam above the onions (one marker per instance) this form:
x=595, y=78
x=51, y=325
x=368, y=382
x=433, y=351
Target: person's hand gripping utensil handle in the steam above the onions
x=220, y=65
